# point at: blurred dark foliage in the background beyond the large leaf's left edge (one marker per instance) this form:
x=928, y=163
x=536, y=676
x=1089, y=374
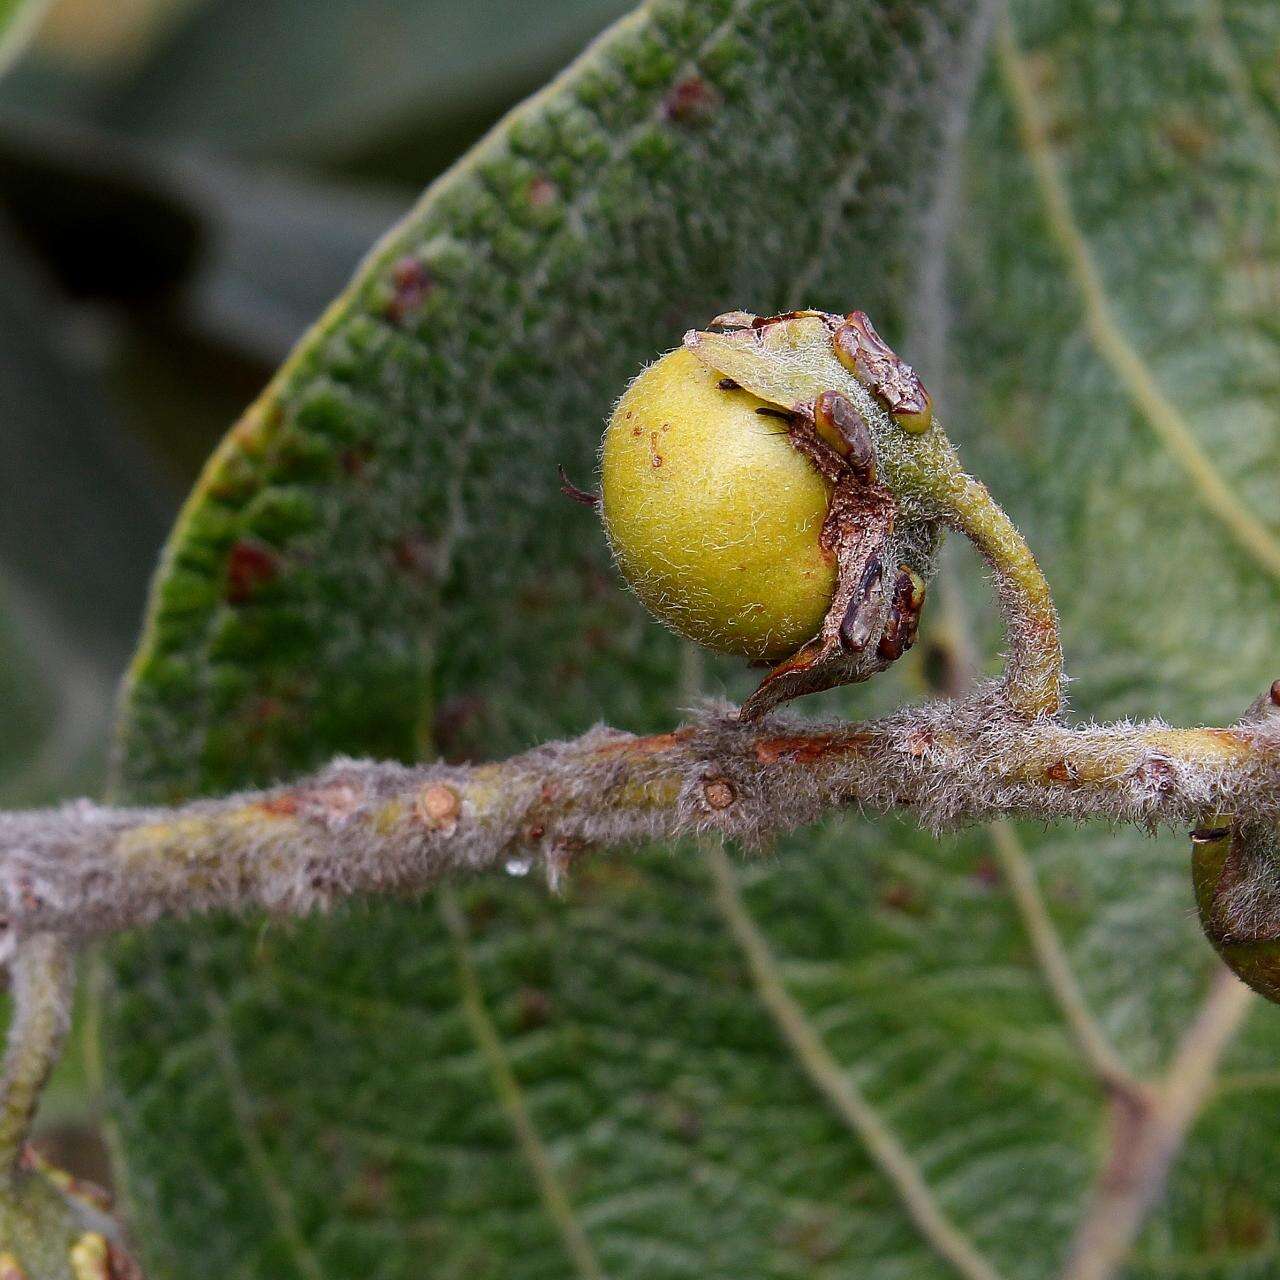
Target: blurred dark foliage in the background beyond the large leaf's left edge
x=185, y=185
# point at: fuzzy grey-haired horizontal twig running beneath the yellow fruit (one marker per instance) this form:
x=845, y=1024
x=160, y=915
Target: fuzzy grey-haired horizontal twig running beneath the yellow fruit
x=359, y=829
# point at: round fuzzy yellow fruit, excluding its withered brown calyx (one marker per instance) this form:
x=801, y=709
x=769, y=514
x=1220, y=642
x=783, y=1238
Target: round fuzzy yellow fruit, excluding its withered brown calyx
x=714, y=515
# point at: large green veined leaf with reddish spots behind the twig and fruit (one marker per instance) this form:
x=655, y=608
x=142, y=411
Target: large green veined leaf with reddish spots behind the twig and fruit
x=651, y=1077
